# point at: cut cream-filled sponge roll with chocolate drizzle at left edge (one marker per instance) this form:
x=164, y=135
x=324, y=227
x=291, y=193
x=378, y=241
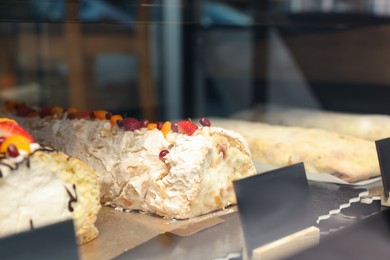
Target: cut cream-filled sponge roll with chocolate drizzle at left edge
x=40, y=186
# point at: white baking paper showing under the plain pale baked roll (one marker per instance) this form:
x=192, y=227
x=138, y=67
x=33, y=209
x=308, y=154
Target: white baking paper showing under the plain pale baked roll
x=321, y=177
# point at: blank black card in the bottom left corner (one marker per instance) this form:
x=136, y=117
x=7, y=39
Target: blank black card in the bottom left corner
x=55, y=241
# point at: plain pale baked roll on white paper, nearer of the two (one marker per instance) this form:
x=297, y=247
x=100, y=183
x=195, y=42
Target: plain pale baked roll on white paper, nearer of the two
x=348, y=158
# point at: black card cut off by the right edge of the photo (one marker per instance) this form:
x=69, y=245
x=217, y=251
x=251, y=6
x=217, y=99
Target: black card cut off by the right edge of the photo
x=383, y=150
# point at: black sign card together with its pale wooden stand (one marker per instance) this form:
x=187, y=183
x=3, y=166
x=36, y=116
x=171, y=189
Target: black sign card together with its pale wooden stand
x=276, y=213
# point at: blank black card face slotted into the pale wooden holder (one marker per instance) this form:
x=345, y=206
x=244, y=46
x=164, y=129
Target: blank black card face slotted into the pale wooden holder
x=274, y=204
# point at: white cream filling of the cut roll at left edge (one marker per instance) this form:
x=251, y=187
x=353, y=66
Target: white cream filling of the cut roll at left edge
x=34, y=196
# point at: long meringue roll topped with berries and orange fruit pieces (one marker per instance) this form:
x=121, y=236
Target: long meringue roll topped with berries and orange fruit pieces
x=175, y=170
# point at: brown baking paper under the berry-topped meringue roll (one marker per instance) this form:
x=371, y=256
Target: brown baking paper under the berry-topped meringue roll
x=122, y=231
